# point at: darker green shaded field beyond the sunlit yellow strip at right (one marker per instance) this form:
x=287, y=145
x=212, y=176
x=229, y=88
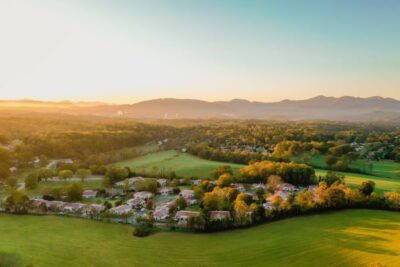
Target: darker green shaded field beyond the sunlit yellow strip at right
x=384, y=168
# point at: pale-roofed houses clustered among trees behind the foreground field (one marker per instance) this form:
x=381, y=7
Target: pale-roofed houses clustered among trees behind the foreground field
x=162, y=205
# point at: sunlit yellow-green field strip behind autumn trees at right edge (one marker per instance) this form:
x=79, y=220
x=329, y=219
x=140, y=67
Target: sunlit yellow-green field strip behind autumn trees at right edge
x=355, y=179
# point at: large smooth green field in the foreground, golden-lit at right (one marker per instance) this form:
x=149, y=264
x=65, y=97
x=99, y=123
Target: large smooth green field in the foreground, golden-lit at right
x=345, y=238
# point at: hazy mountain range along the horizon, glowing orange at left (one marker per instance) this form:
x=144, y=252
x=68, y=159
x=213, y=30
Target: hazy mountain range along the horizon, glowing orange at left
x=346, y=108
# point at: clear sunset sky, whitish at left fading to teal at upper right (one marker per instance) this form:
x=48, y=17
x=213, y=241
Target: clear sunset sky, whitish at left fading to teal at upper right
x=127, y=51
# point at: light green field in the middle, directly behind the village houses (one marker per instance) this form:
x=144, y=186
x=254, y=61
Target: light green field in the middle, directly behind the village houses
x=182, y=163
